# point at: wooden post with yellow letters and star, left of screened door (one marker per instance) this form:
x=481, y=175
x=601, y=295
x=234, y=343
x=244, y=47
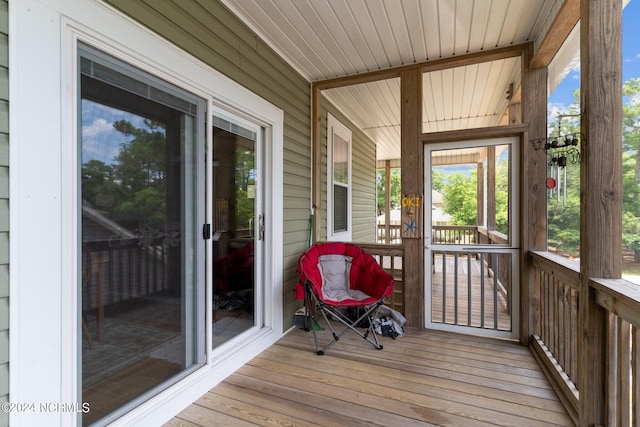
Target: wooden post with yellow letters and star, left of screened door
x=412, y=154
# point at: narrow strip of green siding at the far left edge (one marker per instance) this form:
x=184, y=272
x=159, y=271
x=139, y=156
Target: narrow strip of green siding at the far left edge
x=4, y=209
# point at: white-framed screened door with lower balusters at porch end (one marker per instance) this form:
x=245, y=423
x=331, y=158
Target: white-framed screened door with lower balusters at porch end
x=472, y=248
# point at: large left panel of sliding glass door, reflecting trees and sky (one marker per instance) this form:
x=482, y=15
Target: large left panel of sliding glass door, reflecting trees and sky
x=141, y=177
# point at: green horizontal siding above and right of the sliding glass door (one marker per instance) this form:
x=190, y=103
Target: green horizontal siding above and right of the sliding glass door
x=211, y=33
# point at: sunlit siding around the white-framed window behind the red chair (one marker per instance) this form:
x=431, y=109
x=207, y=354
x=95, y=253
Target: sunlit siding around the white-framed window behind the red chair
x=363, y=175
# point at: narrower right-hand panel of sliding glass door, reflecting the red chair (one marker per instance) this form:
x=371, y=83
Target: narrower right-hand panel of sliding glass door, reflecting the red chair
x=238, y=227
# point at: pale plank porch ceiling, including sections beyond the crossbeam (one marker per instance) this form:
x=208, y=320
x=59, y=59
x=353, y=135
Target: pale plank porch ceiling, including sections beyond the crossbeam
x=325, y=39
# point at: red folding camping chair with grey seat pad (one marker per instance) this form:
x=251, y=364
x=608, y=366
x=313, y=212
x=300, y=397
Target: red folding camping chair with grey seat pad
x=336, y=279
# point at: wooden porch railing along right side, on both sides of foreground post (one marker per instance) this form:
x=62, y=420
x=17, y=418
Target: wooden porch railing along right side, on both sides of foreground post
x=556, y=343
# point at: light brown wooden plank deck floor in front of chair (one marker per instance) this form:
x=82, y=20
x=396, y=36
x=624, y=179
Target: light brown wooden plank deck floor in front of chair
x=420, y=379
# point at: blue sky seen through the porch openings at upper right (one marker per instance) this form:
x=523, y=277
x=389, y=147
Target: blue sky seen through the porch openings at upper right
x=630, y=56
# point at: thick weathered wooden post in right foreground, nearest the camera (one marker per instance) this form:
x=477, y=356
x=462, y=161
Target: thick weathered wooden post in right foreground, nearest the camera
x=601, y=191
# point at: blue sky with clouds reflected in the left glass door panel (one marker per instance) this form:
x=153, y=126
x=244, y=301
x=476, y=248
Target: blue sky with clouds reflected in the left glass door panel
x=100, y=141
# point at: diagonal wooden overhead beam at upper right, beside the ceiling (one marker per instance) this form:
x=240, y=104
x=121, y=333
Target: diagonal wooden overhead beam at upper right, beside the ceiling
x=565, y=20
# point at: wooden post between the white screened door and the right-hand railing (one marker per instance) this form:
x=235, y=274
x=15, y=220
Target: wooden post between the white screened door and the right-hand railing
x=534, y=194
